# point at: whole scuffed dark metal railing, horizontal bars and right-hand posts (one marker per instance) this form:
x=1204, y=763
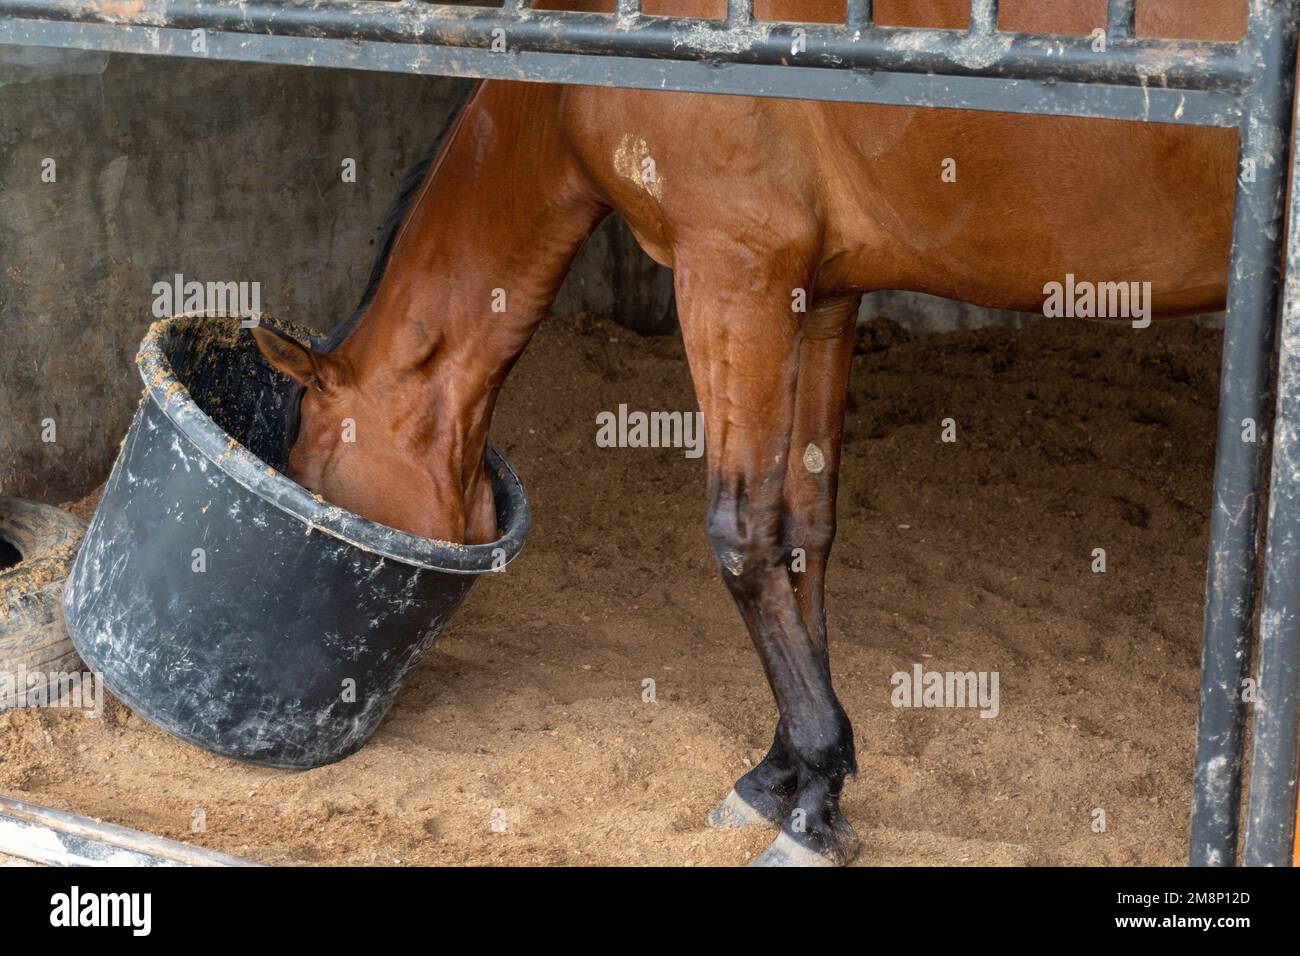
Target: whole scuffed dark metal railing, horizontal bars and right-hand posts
x=1246, y=85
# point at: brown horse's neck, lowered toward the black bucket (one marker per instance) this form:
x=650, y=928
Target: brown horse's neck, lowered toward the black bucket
x=475, y=267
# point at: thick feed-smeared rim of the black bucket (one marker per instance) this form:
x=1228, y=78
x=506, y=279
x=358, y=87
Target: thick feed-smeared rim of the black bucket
x=232, y=458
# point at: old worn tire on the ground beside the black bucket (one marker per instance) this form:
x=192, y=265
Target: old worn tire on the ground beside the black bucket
x=38, y=544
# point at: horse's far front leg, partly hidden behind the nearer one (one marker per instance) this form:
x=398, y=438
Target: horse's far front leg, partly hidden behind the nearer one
x=766, y=794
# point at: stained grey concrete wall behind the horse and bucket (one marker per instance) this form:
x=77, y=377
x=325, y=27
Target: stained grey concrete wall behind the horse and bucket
x=220, y=172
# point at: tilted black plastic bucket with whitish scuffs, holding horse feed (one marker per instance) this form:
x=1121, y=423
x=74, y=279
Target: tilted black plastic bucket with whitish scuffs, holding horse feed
x=287, y=638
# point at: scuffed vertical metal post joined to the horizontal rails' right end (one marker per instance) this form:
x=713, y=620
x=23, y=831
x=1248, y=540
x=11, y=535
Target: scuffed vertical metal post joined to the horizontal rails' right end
x=1253, y=312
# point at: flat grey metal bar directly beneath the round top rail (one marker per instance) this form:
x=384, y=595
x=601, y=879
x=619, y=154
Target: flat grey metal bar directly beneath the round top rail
x=1202, y=109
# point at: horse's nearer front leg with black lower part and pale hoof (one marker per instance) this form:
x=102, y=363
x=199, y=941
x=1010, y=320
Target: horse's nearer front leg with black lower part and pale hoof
x=744, y=347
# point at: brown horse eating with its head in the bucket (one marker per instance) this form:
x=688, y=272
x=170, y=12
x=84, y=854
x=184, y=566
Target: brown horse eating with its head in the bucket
x=753, y=204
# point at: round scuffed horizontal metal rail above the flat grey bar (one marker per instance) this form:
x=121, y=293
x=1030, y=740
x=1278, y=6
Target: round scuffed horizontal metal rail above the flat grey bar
x=1177, y=64
